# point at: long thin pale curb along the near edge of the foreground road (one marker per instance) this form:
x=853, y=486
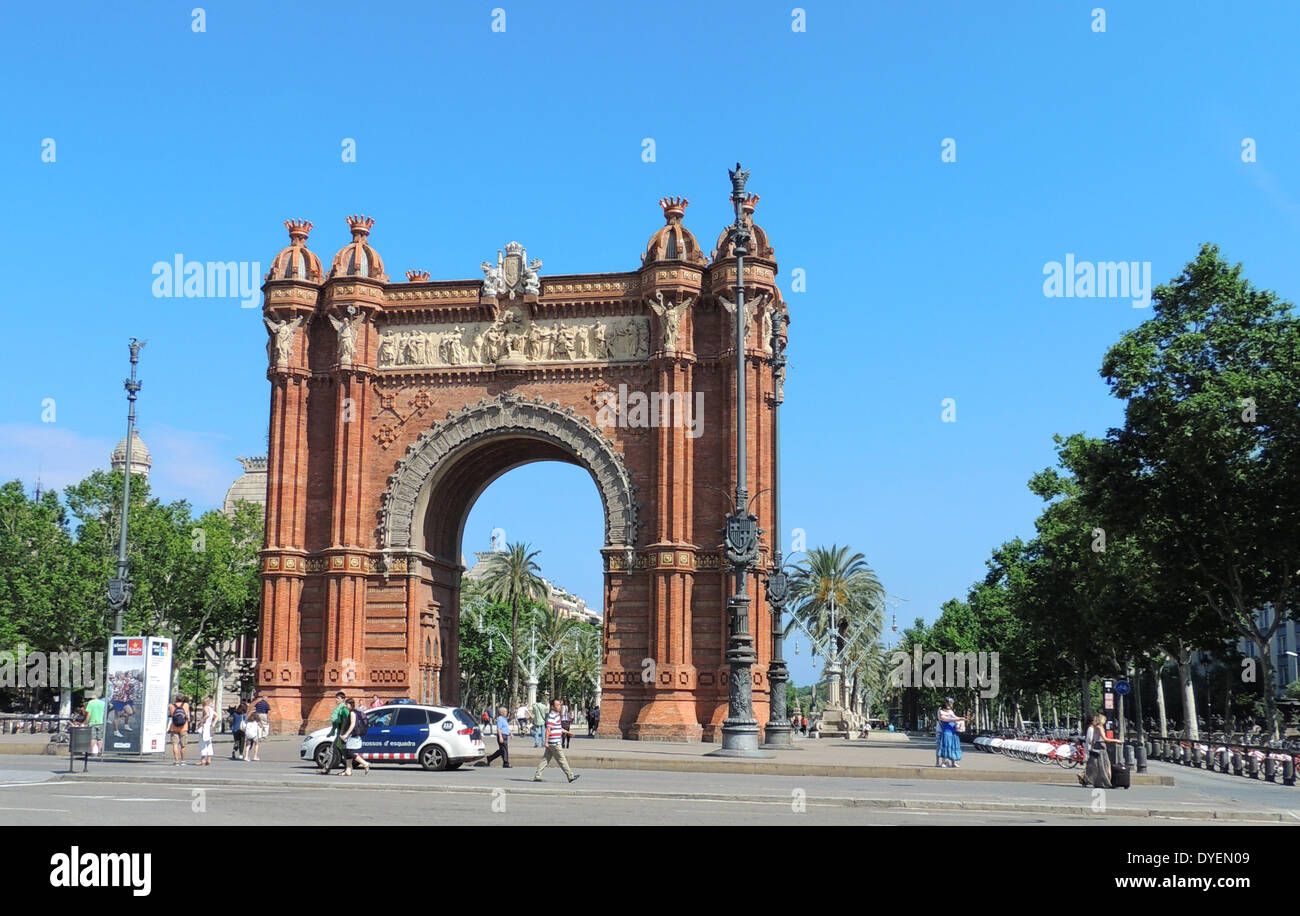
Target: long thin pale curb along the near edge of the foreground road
x=820, y=801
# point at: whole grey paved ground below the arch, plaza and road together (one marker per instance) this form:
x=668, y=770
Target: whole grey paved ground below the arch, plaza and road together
x=627, y=784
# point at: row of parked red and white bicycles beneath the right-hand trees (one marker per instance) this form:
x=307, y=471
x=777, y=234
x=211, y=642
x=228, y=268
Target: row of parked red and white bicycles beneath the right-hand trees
x=1277, y=762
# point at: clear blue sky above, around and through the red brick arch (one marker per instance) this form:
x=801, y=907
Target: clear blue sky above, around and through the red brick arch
x=925, y=279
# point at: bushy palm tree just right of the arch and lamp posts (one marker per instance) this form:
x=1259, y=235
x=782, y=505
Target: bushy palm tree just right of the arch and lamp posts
x=831, y=576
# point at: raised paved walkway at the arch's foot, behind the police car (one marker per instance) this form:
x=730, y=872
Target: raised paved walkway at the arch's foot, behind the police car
x=892, y=757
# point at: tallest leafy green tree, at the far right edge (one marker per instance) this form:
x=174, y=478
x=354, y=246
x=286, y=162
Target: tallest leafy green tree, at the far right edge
x=1212, y=445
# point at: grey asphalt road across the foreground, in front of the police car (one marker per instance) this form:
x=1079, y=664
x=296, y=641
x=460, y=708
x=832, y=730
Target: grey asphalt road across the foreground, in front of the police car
x=145, y=793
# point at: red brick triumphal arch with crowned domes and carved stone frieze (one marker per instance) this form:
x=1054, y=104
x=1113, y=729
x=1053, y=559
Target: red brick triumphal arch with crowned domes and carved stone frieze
x=395, y=405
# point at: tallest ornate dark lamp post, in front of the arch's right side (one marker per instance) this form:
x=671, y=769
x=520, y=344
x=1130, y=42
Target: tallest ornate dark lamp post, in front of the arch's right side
x=740, y=728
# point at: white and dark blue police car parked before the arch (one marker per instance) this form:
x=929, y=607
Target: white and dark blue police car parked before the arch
x=437, y=737
